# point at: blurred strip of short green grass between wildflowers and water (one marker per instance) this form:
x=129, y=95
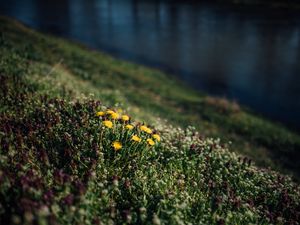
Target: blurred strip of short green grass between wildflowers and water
x=148, y=94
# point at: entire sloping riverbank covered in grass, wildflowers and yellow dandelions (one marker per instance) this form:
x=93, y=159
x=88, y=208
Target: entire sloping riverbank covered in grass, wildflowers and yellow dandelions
x=67, y=157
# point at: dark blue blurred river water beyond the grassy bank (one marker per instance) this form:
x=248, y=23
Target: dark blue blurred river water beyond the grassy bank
x=249, y=55
